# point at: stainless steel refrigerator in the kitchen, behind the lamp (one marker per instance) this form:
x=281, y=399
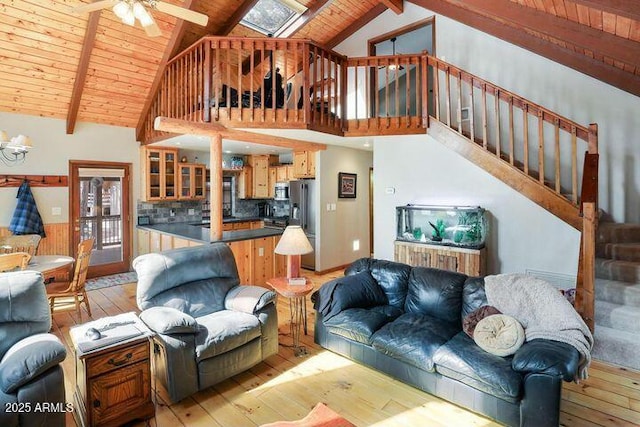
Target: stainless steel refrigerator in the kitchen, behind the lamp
x=302, y=212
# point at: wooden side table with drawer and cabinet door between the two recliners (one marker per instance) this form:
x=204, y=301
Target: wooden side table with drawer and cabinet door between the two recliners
x=113, y=382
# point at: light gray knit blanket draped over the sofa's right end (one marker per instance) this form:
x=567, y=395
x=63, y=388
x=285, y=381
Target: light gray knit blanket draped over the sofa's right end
x=542, y=311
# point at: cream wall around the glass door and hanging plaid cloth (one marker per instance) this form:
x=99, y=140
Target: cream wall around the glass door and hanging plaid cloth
x=53, y=149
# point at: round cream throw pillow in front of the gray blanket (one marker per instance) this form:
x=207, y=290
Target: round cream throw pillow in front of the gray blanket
x=499, y=334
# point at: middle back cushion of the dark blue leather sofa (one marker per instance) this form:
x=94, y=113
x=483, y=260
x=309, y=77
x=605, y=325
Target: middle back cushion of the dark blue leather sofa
x=437, y=293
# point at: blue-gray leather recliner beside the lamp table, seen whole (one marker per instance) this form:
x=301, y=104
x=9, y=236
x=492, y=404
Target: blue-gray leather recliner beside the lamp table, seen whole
x=208, y=328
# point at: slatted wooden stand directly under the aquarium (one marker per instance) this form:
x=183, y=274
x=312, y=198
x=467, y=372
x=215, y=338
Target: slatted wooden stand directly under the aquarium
x=471, y=262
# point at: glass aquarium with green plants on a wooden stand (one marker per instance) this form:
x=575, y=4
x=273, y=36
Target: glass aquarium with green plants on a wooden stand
x=461, y=226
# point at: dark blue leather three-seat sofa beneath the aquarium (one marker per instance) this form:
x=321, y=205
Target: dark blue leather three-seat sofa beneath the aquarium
x=407, y=322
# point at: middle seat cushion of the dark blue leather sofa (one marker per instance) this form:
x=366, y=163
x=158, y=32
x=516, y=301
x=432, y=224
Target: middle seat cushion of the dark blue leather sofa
x=413, y=338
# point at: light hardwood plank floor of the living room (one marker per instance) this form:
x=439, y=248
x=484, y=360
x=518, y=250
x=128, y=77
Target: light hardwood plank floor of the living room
x=285, y=387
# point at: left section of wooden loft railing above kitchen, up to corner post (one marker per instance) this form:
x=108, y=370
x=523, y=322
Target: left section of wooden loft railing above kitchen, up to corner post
x=227, y=80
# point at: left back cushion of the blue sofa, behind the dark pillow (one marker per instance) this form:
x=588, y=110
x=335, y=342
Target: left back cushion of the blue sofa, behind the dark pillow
x=393, y=277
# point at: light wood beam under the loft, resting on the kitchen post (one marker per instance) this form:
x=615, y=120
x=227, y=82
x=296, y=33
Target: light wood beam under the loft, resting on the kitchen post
x=185, y=127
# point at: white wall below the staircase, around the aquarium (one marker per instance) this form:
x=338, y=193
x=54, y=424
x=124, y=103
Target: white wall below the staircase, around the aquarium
x=421, y=170
